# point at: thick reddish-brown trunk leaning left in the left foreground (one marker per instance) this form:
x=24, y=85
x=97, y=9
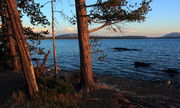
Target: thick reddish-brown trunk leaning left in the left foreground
x=22, y=46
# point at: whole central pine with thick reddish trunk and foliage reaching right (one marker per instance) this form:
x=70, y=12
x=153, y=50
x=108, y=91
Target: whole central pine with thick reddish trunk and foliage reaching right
x=108, y=13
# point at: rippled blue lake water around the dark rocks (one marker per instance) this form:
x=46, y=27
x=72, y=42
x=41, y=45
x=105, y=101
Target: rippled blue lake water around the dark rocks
x=161, y=53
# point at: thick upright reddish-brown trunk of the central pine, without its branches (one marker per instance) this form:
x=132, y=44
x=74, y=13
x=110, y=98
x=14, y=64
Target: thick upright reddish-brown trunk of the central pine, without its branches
x=84, y=46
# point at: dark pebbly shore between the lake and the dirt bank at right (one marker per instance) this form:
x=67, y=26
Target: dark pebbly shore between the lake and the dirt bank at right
x=150, y=94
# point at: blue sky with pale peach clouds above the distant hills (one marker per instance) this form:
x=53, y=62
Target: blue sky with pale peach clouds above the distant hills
x=164, y=18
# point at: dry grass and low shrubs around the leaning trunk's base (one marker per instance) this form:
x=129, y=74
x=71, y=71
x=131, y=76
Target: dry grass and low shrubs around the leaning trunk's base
x=53, y=94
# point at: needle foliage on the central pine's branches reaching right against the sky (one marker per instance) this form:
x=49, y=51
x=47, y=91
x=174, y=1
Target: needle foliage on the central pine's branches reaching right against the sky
x=113, y=13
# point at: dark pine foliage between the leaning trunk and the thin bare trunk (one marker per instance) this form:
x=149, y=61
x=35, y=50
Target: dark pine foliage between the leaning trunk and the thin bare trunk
x=33, y=11
